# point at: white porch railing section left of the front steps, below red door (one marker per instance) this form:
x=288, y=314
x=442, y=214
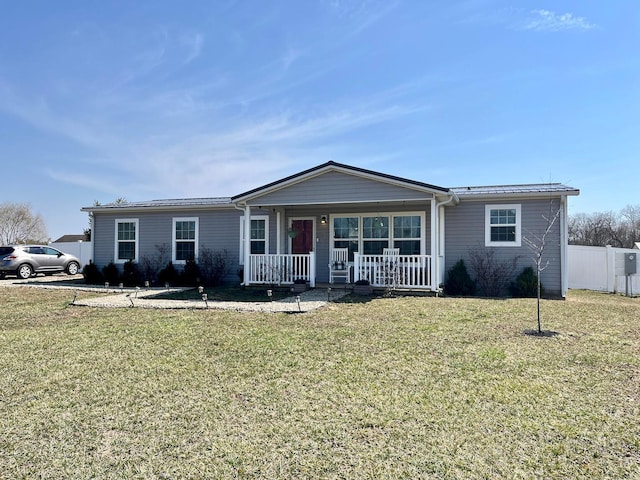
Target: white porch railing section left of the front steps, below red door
x=285, y=268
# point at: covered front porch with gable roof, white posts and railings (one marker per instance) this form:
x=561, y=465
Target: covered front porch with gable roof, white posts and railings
x=337, y=224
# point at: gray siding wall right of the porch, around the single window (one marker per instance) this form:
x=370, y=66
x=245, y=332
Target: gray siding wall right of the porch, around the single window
x=465, y=230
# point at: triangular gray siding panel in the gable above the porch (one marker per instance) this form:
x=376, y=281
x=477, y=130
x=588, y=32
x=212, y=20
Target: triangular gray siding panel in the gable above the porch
x=335, y=186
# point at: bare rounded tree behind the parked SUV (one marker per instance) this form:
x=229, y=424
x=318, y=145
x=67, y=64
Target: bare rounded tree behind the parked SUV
x=19, y=225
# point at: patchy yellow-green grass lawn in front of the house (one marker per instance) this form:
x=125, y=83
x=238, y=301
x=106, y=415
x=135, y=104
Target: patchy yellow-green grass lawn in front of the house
x=391, y=388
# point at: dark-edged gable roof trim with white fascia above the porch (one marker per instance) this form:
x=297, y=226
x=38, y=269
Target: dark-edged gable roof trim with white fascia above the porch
x=334, y=166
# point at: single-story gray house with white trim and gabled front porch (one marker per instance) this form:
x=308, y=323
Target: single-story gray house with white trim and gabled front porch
x=291, y=229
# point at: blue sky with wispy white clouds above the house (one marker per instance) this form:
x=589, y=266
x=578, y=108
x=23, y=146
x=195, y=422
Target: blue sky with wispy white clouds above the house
x=157, y=99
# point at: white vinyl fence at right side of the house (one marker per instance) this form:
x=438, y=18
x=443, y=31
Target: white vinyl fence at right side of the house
x=601, y=269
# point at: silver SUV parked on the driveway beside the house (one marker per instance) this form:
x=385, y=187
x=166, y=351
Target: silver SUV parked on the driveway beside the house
x=28, y=260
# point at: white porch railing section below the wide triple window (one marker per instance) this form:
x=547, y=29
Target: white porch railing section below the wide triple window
x=398, y=271
